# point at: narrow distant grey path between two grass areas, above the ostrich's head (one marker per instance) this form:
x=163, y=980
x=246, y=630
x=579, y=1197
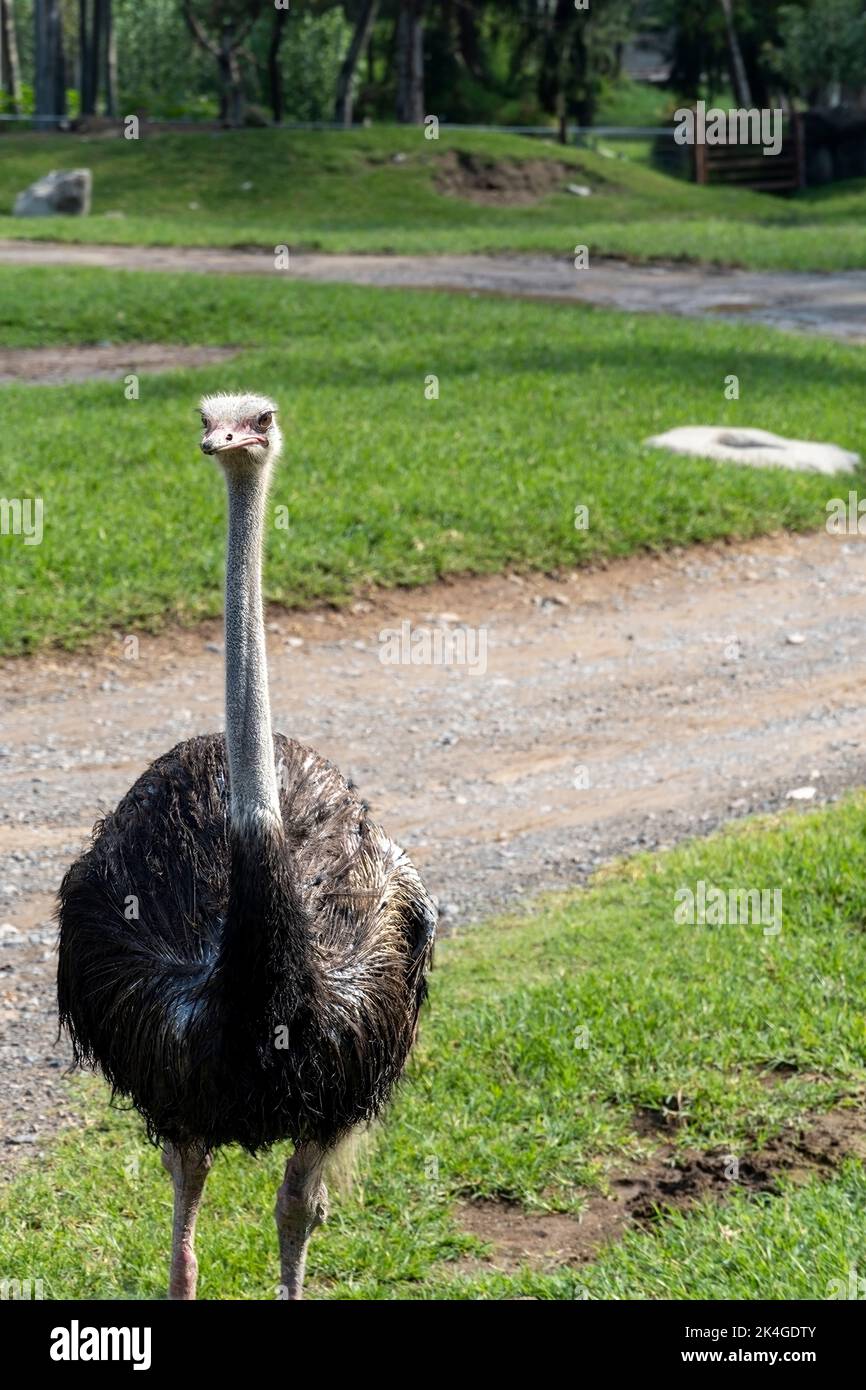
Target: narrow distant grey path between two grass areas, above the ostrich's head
x=832, y=304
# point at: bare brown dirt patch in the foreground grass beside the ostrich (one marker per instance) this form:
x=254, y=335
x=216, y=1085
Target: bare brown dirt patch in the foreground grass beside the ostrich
x=671, y=1181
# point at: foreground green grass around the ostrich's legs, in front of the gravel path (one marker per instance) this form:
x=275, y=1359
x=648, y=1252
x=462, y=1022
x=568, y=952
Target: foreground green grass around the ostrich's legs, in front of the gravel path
x=501, y=1102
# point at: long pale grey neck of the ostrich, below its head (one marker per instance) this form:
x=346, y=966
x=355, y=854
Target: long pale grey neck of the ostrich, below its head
x=254, y=794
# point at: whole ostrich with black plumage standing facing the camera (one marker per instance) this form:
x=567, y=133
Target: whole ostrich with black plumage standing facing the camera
x=243, y=951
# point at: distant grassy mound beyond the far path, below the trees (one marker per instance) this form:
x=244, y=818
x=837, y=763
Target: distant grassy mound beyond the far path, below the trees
x=341, y=193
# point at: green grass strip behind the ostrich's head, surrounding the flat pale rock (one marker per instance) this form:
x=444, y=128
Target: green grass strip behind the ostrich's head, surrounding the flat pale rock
x=543, y=408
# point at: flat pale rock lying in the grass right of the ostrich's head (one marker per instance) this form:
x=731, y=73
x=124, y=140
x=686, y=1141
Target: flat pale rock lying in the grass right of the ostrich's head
x=757, y=448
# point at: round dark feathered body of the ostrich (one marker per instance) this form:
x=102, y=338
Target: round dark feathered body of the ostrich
x=244, y=989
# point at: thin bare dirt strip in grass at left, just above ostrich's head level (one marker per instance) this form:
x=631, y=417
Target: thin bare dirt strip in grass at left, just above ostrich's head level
x=55, y=366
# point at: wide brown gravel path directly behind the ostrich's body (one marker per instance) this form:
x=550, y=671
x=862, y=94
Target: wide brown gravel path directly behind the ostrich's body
x=621, y=710
